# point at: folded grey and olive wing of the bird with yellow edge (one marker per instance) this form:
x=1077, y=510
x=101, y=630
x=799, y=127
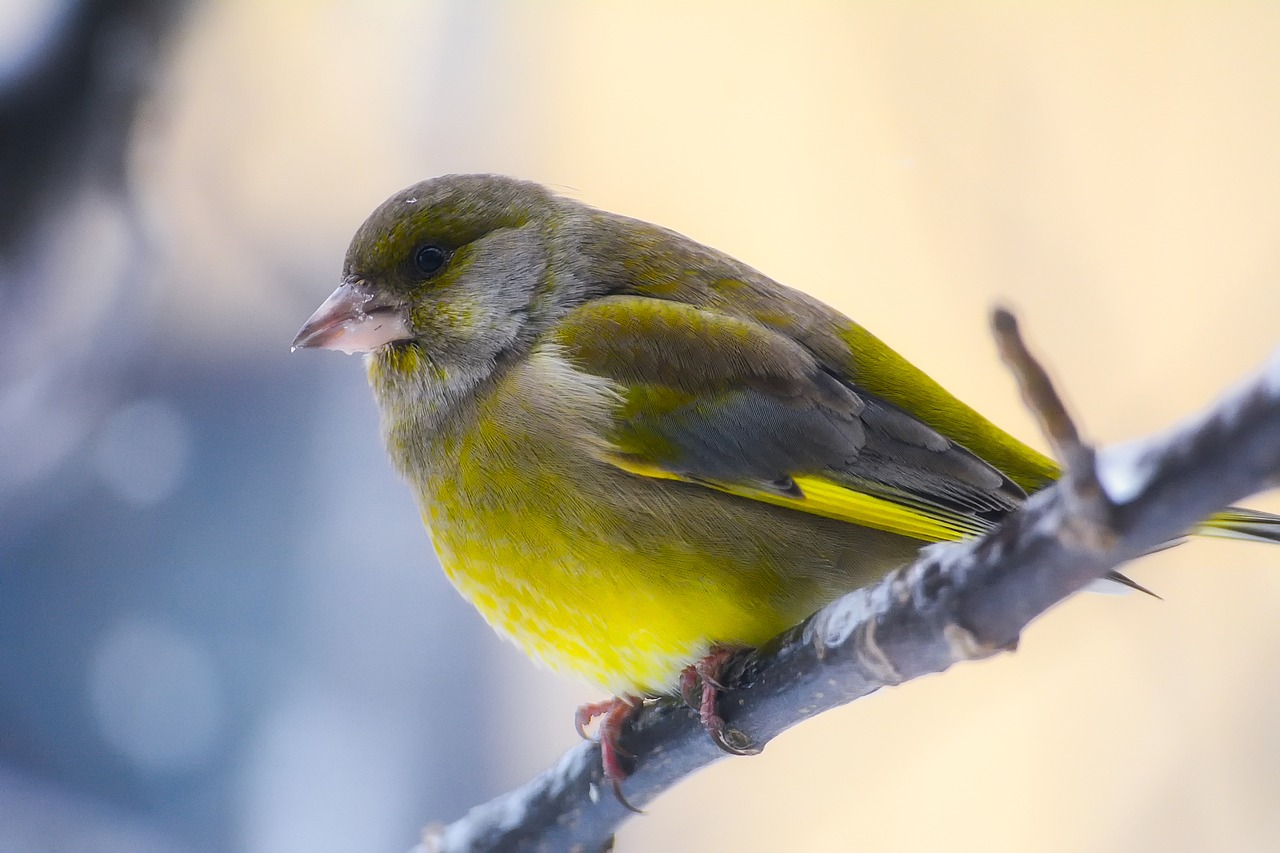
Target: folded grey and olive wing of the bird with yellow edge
x=730, y=404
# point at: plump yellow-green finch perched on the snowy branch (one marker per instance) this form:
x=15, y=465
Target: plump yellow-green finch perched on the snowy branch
x=637, y=455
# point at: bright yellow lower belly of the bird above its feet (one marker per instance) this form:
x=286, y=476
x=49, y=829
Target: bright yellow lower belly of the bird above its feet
x=627, y=613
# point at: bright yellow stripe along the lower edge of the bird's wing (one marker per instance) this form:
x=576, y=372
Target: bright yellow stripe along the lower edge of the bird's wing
x=828, y=499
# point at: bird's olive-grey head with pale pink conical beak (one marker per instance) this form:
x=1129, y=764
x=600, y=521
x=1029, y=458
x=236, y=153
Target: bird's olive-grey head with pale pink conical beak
x=445, y=272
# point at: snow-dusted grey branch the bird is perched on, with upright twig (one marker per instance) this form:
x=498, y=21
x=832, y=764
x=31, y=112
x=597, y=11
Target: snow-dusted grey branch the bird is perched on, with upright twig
x=958, y=603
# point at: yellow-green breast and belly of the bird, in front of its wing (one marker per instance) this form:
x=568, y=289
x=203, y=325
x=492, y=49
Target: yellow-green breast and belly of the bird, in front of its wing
x=591, y=571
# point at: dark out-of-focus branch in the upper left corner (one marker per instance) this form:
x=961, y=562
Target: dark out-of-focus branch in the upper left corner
x=67, y=118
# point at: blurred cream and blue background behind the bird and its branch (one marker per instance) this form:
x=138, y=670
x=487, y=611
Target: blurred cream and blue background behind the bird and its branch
x=222, y=627
